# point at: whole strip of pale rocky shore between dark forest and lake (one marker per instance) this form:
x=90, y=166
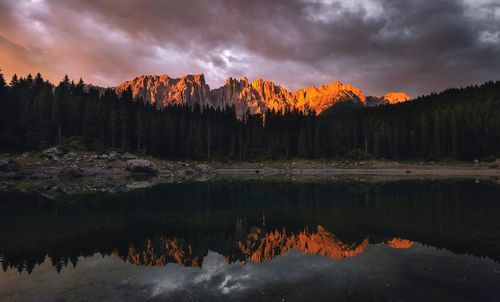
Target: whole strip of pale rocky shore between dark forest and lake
x=57, y=171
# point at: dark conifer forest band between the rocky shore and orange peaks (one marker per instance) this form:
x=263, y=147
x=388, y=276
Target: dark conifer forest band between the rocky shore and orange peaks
x=457, y=123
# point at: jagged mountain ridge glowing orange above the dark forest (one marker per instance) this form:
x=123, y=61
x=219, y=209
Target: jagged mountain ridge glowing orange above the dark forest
x=255, y=96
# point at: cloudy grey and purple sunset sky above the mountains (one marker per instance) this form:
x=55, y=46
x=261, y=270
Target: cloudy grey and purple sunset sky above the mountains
x=415, y=46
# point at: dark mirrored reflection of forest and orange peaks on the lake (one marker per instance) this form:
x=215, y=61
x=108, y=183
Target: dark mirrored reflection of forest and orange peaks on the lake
x=248, y=221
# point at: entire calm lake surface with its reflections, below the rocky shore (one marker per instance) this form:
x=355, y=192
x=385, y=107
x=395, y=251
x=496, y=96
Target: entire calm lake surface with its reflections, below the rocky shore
x=254, y=240
